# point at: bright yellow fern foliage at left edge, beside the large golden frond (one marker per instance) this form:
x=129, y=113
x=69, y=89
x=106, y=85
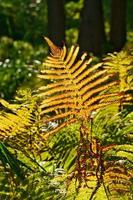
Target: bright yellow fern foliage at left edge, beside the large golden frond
x=20, y=125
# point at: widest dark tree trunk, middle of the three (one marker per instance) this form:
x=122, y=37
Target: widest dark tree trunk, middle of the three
x=92, y=32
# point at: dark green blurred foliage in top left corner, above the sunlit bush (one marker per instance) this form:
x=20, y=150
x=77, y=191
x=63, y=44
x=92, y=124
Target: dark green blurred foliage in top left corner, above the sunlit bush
x=23, y=20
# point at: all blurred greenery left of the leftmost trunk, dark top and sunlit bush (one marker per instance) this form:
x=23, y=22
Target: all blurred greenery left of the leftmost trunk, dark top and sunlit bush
x=23, y=24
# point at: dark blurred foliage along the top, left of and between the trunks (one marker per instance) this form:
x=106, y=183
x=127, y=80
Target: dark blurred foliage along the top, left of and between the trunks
x=27, y=20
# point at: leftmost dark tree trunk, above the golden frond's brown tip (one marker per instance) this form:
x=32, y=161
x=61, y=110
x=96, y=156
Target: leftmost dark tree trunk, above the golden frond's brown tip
x=56, y=21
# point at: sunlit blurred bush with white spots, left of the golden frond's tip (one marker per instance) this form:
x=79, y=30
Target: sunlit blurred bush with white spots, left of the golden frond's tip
x=19, y=62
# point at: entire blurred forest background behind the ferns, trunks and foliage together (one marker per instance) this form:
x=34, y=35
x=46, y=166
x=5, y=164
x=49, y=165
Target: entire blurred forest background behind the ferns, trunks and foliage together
x=97, y=26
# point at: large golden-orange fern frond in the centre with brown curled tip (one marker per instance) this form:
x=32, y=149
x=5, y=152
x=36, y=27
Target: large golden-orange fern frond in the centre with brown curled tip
x=75, y=86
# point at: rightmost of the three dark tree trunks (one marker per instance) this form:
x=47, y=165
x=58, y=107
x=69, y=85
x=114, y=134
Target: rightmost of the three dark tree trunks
x=118, y=24
